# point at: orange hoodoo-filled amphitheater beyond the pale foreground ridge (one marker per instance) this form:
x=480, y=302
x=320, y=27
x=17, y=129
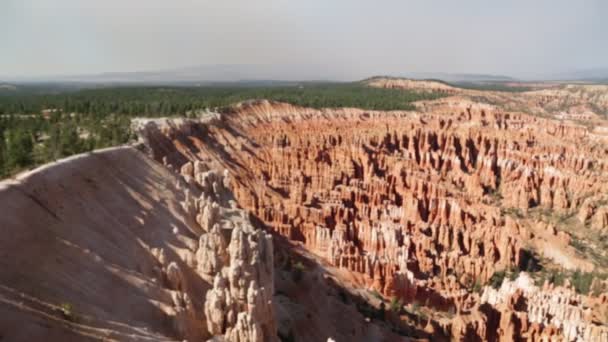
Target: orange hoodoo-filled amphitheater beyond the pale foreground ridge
x=423, y=206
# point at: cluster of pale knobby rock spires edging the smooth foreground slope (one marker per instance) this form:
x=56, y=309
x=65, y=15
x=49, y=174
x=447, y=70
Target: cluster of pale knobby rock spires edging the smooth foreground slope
x=232, y=255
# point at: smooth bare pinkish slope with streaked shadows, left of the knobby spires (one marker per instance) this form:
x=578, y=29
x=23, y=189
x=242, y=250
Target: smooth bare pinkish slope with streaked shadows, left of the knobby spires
x=79, y=233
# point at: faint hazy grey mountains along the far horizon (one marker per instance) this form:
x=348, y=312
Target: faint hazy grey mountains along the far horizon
x=247, y=74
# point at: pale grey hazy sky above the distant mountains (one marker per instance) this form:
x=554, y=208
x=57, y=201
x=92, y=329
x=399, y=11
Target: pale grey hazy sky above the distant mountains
x=322, y=38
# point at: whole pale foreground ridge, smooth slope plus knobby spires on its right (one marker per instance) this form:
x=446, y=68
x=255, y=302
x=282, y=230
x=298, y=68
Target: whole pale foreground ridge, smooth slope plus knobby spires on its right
x=114, y=246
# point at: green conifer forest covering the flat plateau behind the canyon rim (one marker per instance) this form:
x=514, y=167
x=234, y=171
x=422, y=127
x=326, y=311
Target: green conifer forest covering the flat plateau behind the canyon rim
x=41, y=125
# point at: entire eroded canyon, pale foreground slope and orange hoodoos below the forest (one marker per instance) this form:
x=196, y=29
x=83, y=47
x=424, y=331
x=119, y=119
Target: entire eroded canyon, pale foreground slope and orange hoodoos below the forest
x=268, y=221
